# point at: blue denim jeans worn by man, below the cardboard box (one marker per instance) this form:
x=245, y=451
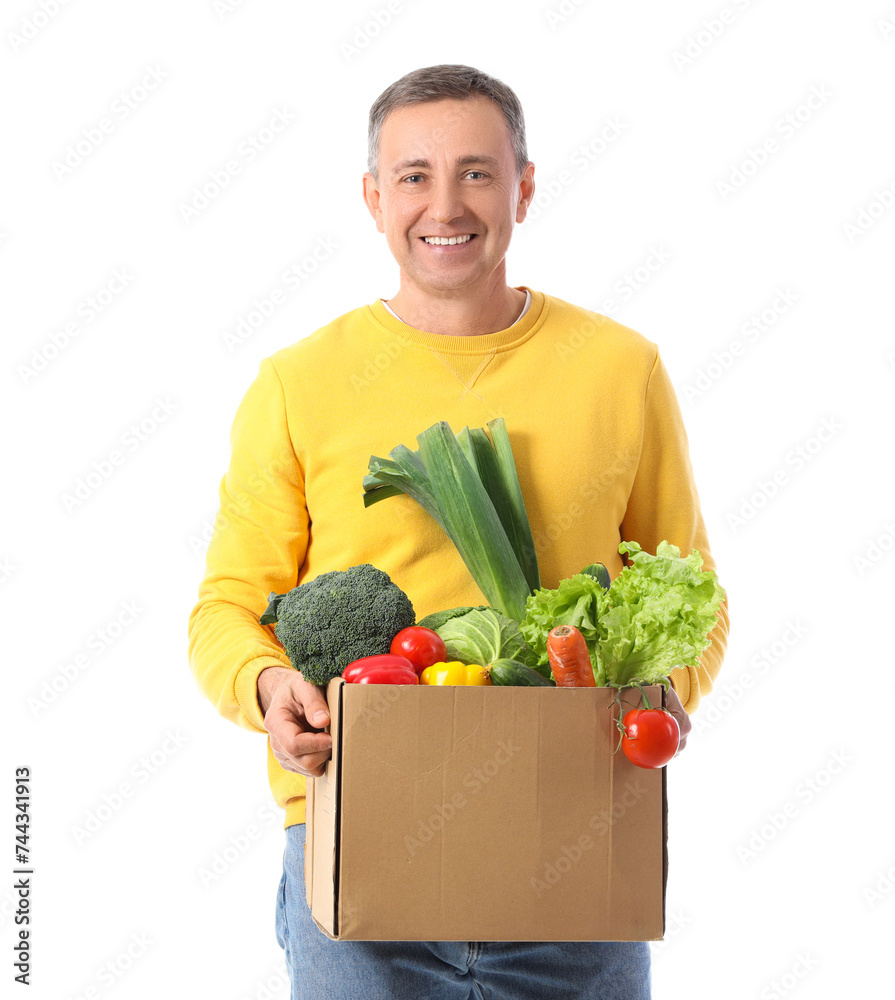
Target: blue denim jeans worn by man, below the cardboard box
x=323, y=969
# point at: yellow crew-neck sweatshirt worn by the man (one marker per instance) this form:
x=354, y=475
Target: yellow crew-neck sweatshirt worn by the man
x=597, y=436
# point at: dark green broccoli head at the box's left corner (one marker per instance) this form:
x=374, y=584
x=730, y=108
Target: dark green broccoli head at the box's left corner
x=337, y=618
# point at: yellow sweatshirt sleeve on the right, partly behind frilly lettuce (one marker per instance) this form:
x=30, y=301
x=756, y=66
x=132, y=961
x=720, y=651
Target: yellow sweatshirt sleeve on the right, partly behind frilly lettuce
x=664, y=506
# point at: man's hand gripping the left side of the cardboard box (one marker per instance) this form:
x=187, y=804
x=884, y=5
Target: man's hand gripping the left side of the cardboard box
x=295, y=712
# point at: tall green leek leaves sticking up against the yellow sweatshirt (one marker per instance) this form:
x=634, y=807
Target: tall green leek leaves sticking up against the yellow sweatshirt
x=468, y=483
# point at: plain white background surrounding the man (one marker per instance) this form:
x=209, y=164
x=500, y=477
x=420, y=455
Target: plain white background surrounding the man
x=781, y=839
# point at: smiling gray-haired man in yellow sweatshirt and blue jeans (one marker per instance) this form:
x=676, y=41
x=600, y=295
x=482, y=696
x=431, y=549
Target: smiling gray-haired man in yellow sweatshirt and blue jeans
x=601, y=453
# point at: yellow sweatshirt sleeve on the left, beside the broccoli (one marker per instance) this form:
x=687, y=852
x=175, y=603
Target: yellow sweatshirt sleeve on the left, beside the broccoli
x=258, y=544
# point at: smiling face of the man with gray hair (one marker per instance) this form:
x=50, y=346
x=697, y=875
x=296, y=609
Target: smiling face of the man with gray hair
x=447, y=169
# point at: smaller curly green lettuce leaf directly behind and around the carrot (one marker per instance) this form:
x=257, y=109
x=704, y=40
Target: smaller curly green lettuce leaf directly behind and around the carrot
x=579, y=600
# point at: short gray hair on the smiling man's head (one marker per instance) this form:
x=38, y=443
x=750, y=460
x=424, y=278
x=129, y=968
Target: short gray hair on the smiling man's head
x=437, y=83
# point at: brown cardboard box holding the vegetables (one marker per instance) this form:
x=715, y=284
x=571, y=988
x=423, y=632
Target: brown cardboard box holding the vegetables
x=484, y=814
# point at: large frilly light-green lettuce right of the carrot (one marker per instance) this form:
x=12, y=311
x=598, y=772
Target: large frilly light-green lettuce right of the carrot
x=660, y=611
